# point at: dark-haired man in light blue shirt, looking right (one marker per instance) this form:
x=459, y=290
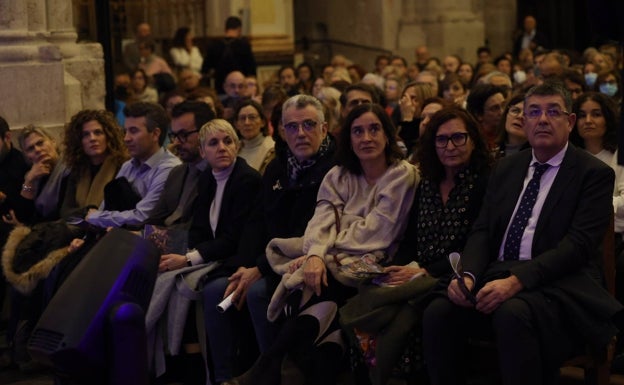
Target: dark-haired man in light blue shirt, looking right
x=145, y=129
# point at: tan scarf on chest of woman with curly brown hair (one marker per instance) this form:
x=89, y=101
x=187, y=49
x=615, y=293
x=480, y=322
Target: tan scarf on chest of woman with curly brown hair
x=91, y=191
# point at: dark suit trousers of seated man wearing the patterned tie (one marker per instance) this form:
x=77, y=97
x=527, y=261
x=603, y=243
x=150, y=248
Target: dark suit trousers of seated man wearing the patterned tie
x=447, y=326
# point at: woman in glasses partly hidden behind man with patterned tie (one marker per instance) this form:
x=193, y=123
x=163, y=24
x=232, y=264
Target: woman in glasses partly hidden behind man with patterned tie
x=512, y=136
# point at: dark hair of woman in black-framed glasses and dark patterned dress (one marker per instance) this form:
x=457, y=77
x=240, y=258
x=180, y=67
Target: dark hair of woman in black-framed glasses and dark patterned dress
x=429, y=164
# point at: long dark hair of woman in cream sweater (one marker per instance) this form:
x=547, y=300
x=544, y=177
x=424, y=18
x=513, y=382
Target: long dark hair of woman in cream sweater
x=345, y=155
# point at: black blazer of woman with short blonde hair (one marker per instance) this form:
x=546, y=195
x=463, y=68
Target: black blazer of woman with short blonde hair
x=239, y=196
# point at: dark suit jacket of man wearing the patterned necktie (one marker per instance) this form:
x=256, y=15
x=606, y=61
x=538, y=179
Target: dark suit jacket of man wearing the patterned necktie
x=570, y=227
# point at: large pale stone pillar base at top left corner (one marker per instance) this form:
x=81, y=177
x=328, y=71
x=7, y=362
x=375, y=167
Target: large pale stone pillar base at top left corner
x=45, y=77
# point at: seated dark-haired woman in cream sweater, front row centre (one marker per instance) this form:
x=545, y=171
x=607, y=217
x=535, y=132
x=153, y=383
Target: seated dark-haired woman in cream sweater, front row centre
x=361, y=209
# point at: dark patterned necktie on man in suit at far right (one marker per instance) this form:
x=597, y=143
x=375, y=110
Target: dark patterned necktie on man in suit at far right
x=520, y=220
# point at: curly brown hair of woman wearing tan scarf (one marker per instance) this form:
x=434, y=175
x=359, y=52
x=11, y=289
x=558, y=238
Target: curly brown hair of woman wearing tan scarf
x=74, y=154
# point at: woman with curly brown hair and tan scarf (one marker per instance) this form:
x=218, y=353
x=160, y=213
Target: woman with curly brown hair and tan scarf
x=94, y=151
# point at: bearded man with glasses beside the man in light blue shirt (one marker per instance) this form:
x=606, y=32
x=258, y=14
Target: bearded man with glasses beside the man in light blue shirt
x=174, y=207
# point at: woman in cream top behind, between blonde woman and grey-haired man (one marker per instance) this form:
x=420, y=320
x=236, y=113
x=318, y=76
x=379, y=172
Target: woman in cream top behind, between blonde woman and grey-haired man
x=257, y=148
